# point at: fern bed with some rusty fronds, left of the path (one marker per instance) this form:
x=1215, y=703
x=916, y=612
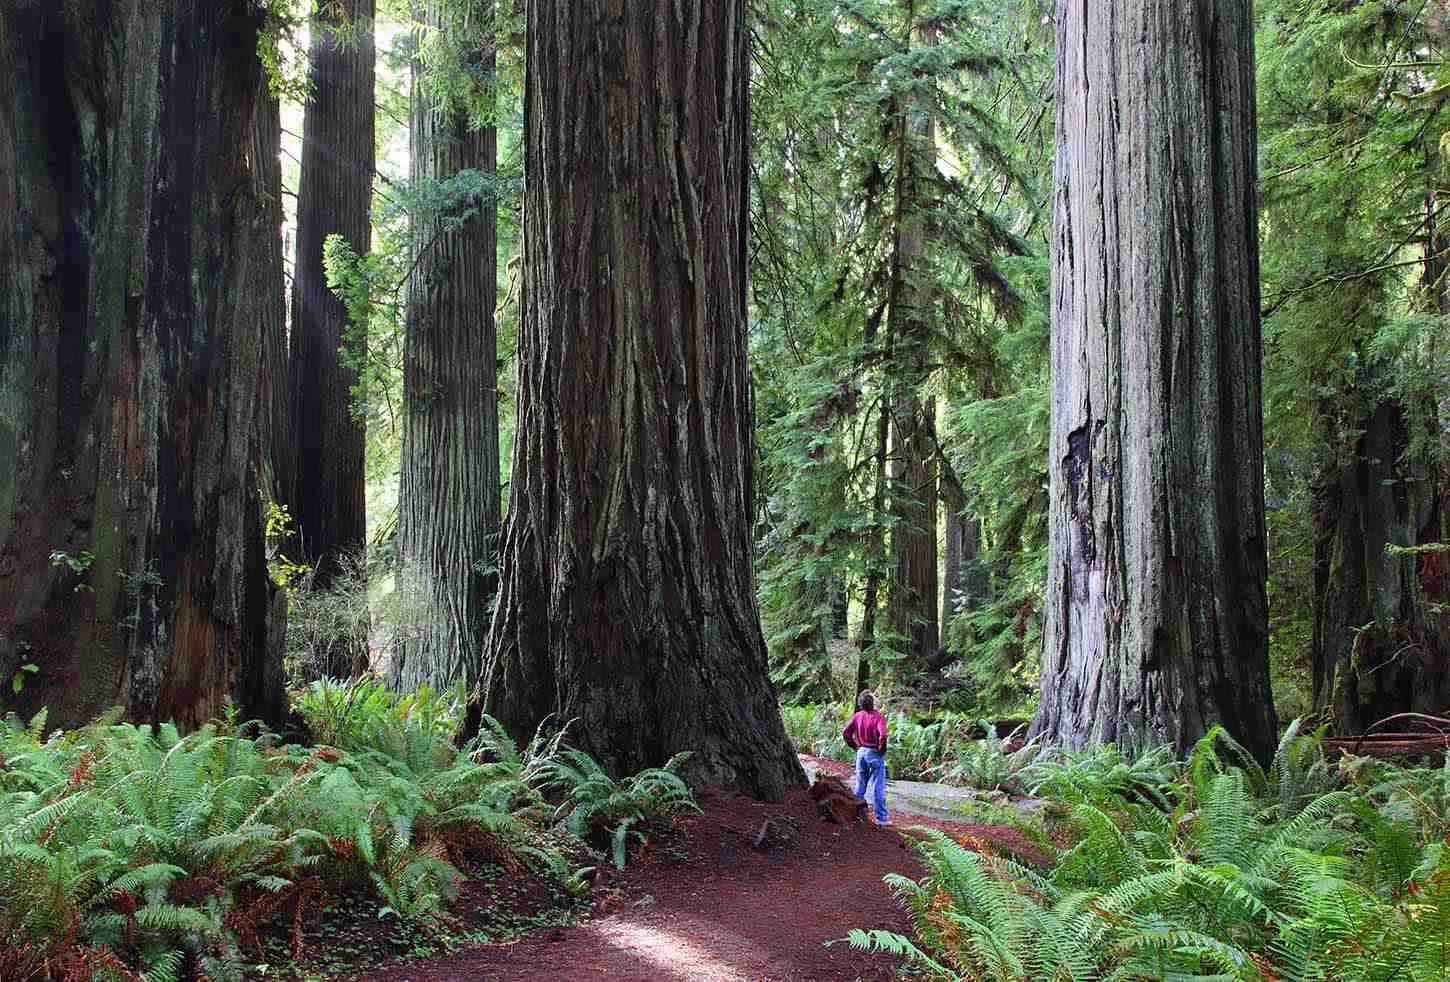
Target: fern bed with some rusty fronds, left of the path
x=141, y=854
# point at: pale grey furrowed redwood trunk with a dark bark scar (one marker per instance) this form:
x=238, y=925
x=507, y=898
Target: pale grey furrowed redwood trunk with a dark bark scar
x=1156, y=613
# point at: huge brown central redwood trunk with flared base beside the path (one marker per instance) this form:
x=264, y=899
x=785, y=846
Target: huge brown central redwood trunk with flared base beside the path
x=629, y=604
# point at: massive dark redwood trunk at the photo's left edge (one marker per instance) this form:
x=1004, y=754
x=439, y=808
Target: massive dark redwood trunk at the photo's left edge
x=130, y=211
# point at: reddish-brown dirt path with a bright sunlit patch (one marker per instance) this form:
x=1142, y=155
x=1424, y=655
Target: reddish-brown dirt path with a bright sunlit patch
x=698, y=904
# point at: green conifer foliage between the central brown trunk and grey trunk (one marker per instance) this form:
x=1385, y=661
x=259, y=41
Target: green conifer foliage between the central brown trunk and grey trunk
x=843, y=96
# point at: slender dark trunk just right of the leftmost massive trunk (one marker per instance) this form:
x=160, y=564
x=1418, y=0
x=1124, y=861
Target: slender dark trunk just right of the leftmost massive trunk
x=334, y=197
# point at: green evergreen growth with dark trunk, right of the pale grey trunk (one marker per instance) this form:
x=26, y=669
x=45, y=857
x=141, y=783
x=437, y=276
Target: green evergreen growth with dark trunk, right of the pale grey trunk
x=1356, y=363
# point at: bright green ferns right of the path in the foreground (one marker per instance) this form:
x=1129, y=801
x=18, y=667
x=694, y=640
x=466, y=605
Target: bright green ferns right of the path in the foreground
x=1211, y=868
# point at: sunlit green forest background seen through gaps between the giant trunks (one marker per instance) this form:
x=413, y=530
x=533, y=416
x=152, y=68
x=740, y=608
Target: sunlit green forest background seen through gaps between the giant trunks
x=900, y=242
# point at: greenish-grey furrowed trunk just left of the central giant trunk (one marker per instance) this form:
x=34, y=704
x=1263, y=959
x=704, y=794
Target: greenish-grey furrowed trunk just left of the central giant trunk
x=449, y=501
